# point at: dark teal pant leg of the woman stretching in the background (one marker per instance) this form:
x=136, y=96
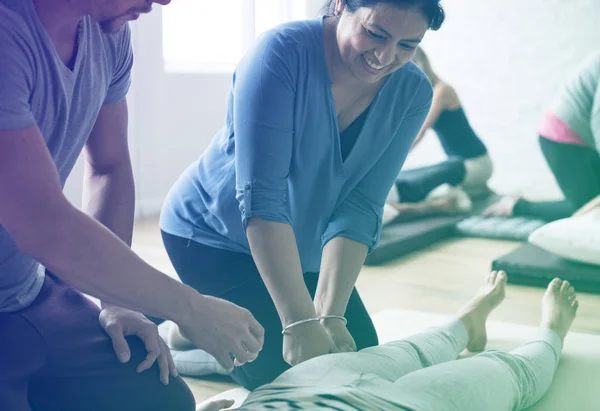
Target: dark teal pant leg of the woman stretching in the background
x=414, y=184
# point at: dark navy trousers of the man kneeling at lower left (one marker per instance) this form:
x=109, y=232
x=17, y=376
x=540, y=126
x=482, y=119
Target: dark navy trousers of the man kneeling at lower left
x=55, y=356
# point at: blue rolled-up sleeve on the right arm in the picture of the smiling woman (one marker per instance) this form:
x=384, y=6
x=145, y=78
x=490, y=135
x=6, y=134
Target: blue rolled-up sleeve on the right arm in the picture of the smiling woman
x=359, y=216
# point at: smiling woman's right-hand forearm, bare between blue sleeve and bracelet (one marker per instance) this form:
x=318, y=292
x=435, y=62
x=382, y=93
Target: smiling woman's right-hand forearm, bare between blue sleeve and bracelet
x=341, y=263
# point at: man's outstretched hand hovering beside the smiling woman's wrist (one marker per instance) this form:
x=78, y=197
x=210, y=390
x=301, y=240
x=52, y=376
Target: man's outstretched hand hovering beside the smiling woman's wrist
x=223, y=329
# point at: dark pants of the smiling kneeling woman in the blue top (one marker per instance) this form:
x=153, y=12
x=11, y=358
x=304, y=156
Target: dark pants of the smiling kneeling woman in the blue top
x=234, y=277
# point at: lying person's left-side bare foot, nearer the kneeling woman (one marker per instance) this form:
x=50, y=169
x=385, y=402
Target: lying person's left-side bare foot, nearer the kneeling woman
x=475, y=313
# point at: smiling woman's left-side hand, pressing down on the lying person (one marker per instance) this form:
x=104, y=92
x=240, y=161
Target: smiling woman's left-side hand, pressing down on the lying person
x=305, y=341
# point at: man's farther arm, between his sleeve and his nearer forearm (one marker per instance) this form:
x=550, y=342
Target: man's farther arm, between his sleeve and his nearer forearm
x=109, y=190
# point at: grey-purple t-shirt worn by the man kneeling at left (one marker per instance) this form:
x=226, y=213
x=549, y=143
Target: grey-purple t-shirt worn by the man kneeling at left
x=36, y=87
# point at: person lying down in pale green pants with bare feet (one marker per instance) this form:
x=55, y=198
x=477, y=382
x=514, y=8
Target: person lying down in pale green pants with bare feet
x=421, y=373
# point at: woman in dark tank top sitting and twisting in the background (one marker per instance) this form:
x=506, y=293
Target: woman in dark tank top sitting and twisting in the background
x=468, y=164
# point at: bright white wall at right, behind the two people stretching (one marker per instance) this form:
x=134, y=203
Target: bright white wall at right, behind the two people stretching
x=506, y=58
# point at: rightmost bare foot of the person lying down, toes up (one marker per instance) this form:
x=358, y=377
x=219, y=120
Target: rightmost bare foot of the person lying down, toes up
x=559, y=307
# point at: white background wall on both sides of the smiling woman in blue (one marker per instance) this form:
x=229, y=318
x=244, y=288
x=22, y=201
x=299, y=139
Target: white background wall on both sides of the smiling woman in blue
x=505, y=57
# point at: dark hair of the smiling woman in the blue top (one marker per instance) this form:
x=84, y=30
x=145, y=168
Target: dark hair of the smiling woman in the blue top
x=431, y=9
